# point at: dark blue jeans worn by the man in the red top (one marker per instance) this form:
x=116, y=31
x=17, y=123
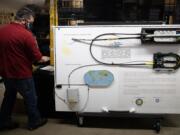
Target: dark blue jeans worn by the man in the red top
x=26, y=88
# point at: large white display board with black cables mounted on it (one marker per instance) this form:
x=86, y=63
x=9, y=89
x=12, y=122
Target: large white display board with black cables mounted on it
x=134, y=89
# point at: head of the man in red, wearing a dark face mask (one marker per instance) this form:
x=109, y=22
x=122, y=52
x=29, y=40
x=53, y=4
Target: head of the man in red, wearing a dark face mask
x=25, y=16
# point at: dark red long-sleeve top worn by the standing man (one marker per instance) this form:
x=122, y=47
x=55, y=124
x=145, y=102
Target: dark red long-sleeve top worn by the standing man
x=18, y=50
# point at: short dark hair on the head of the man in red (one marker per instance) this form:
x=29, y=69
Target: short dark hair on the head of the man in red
x=24, y=13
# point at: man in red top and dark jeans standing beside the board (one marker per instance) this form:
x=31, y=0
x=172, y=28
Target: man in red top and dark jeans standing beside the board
x=18, y=51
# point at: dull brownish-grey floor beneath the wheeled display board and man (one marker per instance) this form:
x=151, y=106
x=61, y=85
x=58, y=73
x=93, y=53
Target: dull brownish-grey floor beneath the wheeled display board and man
x=93, y=126
